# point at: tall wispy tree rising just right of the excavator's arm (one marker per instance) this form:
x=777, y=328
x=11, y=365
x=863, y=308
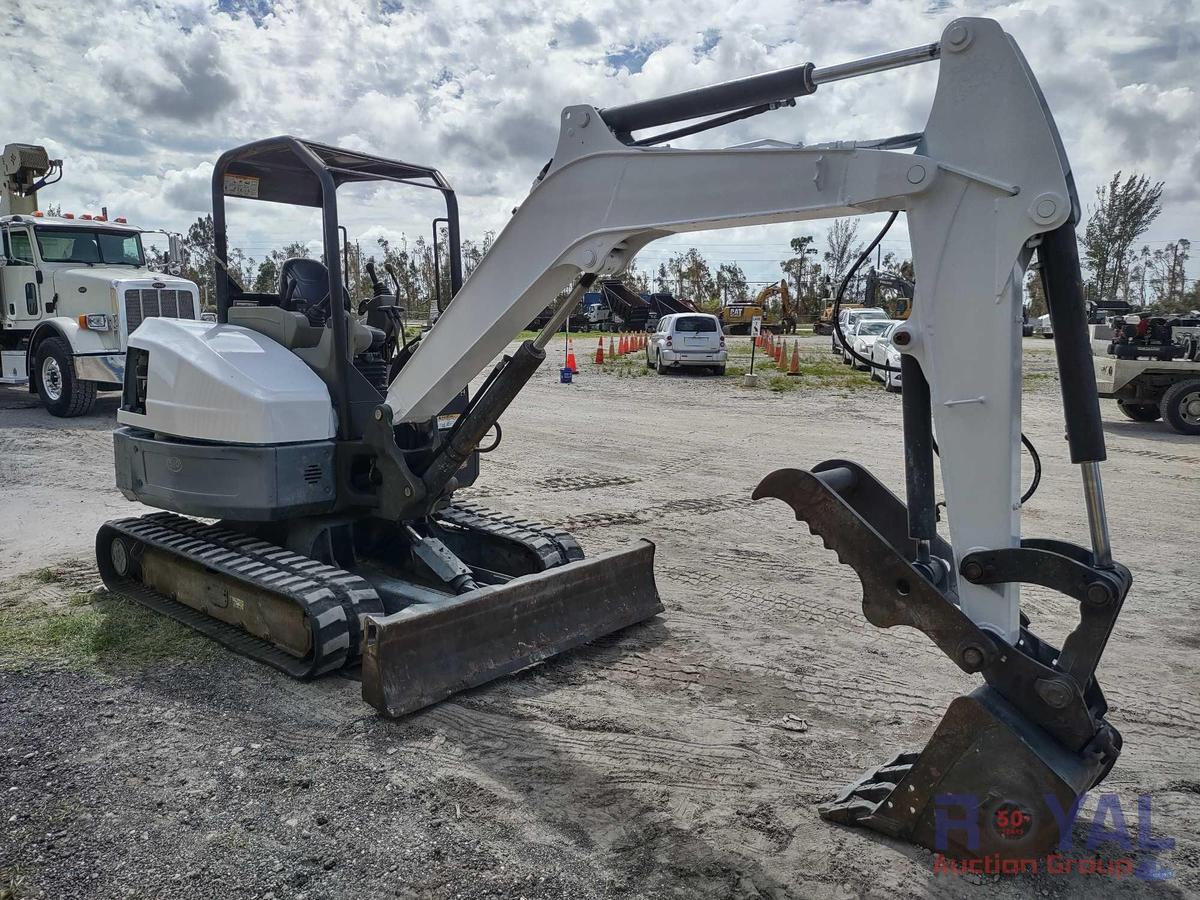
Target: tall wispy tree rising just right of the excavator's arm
x=1123, y=213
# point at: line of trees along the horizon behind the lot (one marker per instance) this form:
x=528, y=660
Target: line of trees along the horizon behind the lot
x=1117, y=268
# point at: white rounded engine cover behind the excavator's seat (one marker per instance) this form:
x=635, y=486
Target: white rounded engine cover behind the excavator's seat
x=229, y=385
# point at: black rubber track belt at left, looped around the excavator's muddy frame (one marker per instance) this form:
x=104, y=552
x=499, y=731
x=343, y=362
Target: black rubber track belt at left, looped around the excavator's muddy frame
x=333, y=599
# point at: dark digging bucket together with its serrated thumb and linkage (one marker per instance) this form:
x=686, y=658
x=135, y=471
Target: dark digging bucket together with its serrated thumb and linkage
x=1009, y=763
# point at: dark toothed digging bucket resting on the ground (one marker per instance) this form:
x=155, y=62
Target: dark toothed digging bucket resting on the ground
x=988, y=783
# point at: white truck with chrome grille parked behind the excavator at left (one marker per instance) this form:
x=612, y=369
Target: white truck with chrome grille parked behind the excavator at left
x=73, y=290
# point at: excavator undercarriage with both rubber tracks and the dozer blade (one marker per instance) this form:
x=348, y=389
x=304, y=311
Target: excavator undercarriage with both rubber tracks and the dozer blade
x=494, y=596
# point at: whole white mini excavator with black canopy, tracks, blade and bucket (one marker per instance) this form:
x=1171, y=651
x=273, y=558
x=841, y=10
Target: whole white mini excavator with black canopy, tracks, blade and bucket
x=341, y=541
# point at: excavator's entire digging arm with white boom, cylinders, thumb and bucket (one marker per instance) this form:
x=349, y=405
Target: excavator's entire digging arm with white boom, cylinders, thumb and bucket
x=987, y=187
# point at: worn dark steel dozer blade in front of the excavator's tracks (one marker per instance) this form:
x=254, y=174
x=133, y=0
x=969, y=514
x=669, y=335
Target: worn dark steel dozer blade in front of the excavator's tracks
x=428, y=652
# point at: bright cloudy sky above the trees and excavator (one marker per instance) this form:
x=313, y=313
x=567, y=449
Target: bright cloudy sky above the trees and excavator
x=141, y=107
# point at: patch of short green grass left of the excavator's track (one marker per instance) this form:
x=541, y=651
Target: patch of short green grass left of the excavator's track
x=97, y=629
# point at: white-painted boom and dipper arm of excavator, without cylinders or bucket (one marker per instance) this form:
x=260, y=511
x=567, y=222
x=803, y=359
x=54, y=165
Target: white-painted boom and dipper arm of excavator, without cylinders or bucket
x=987, y=178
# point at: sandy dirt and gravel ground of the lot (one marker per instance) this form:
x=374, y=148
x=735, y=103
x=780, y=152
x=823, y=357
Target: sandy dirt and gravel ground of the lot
x=683, y=758
